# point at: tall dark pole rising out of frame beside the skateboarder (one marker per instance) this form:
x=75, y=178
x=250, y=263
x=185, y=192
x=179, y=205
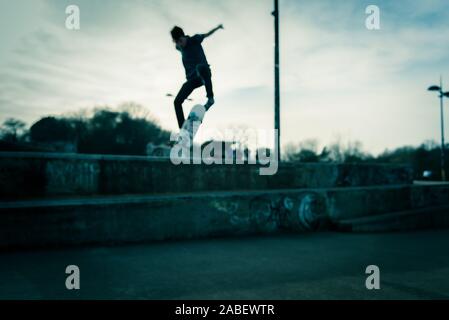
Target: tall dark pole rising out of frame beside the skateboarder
x=277, y=103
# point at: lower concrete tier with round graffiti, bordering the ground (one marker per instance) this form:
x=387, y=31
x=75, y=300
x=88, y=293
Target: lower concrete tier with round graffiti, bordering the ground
x=123, y=219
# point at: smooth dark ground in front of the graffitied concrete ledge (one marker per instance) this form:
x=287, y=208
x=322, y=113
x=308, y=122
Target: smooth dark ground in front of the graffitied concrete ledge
x=312, y=266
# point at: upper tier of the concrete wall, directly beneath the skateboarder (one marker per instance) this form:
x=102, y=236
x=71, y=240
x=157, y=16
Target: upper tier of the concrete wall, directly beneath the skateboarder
x=47, y=175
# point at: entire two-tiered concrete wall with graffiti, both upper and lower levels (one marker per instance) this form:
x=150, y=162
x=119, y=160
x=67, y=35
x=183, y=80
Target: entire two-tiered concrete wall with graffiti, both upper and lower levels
x=59, y=199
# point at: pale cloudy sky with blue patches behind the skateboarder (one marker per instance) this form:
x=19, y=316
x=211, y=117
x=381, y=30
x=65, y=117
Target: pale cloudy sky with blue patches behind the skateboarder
x=339, y=80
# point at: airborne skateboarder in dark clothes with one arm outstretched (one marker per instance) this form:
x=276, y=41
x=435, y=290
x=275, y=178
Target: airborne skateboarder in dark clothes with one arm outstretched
x=196, y=66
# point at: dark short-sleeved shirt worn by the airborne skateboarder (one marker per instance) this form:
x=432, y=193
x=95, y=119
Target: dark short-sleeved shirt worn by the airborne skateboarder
x=193, y=55
